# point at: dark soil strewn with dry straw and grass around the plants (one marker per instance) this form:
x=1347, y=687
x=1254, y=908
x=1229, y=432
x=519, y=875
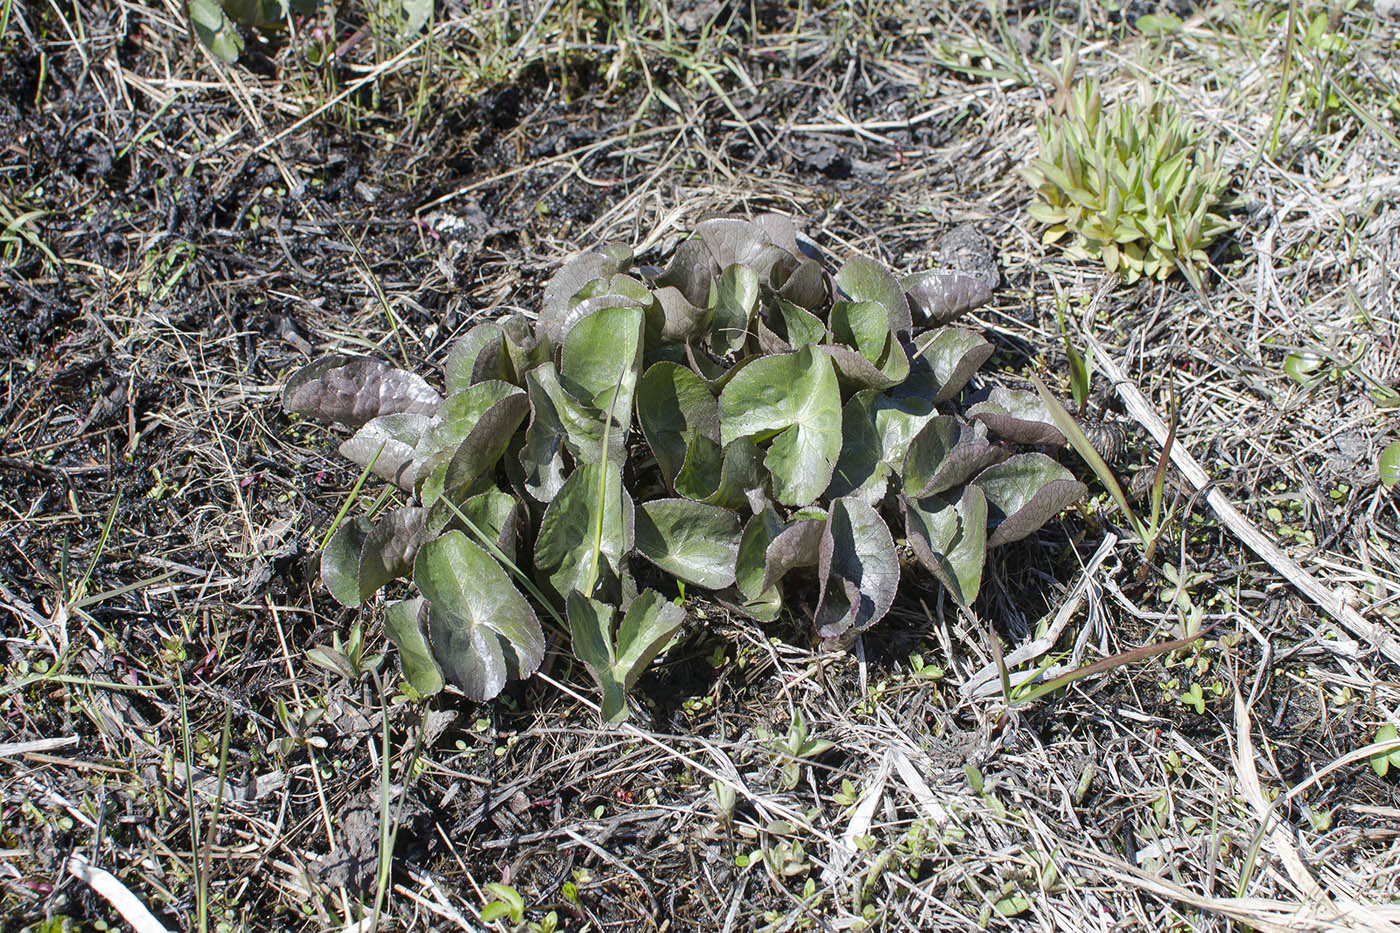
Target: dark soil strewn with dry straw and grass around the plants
x=181, y=235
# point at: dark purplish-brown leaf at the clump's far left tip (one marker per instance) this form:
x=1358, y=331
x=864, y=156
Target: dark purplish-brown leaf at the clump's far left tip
x=353, y=390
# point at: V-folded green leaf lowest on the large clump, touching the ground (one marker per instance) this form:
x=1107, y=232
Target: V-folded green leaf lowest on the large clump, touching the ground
x=618, y=662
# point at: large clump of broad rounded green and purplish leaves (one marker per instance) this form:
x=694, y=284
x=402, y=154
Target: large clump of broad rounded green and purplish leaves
x=736, y=422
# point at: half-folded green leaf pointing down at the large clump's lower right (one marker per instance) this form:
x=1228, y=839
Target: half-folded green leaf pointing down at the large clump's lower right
x=950, y=537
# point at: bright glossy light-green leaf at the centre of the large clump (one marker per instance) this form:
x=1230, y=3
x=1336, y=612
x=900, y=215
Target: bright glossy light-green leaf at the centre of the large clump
x=794, y=400
